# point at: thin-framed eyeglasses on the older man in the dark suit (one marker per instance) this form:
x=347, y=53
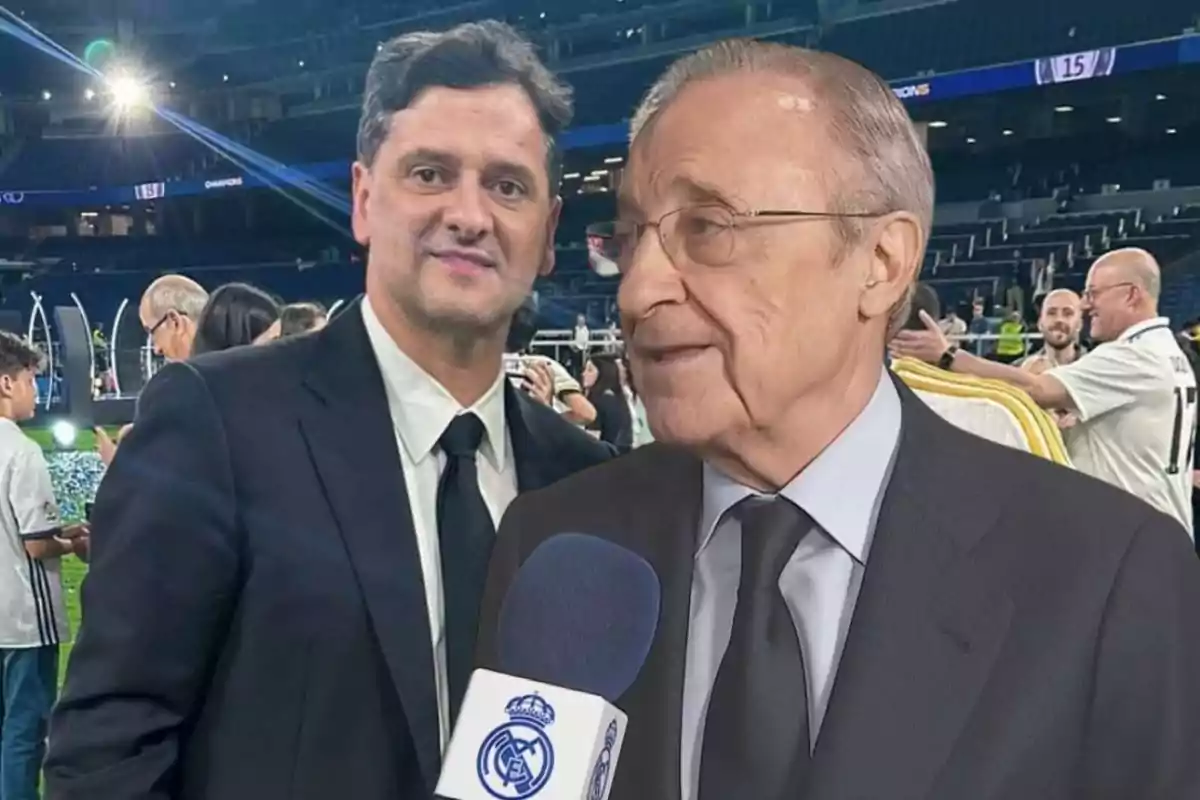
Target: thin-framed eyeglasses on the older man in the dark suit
x=699, y=234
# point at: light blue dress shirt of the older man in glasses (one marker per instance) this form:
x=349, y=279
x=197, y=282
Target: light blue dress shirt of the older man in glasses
x=842, y=490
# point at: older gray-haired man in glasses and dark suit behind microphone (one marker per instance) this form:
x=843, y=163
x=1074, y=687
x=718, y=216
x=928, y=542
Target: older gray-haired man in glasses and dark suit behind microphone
x=859, y=599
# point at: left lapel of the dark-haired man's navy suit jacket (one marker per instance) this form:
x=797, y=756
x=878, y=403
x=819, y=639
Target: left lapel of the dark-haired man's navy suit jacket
x=353, y=444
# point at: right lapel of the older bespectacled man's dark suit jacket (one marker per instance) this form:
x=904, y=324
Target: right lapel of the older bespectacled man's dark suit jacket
x=926, y=631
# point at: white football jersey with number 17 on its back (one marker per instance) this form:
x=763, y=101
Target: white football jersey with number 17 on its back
x=1136, y=399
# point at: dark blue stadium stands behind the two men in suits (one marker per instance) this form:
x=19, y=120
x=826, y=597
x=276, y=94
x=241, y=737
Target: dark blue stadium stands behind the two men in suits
x=1012, y=210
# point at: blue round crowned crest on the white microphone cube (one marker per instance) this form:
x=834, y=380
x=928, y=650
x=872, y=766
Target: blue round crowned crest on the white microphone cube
x=518, y=759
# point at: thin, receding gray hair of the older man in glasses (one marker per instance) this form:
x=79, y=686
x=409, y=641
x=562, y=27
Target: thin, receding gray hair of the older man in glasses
x=887, y=167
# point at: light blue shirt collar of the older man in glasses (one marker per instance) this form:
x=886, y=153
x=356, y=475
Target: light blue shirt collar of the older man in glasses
x=841, y=490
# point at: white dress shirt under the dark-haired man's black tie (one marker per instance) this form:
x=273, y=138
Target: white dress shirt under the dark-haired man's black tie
x=422, y=408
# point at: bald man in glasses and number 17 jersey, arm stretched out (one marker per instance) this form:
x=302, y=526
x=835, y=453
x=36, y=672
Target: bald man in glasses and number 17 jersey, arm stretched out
x=1135, y=398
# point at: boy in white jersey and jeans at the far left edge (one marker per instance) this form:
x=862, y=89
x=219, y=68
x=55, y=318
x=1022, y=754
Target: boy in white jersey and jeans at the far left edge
x=33, y=540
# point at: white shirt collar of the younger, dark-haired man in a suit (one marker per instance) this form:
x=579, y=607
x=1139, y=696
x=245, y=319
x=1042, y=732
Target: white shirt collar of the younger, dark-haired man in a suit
x=422, y=408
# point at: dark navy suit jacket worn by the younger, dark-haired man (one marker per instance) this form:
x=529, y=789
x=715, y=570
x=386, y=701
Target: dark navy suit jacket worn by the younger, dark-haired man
x=255, y=624
